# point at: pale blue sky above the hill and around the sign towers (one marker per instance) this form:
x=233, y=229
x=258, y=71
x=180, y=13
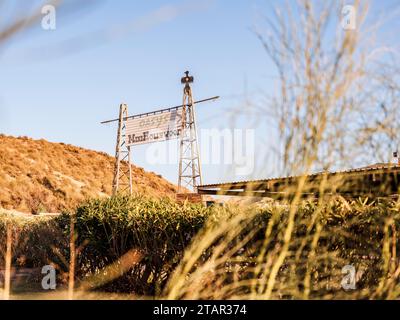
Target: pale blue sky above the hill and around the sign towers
x=58, y=85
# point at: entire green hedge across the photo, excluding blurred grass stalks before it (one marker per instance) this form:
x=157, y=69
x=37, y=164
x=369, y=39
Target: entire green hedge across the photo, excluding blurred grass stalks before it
x=160, y=230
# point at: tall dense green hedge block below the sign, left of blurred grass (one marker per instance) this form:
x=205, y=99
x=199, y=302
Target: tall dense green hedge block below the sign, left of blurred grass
x=159, y=230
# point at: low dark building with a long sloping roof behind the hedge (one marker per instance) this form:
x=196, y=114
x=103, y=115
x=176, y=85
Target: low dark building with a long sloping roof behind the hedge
x=373, y=182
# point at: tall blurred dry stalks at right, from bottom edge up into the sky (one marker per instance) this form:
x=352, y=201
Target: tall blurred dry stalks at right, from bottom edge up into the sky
x=327, y=84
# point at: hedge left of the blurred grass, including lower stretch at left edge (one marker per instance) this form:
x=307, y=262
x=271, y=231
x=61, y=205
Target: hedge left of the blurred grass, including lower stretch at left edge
x=105, y=230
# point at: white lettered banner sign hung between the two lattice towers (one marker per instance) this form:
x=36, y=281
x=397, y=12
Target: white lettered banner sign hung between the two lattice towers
x=154, y=127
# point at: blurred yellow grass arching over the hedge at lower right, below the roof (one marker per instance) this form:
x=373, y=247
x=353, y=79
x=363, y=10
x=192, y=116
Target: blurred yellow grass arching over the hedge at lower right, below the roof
x=246, y=254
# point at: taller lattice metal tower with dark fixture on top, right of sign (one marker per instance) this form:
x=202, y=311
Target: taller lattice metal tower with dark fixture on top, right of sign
x=189, y=161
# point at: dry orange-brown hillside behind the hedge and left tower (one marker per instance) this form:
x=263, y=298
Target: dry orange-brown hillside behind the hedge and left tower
x=40, y=176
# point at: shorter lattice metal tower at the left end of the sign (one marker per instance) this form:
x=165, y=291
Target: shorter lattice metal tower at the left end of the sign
x=122, y=182
